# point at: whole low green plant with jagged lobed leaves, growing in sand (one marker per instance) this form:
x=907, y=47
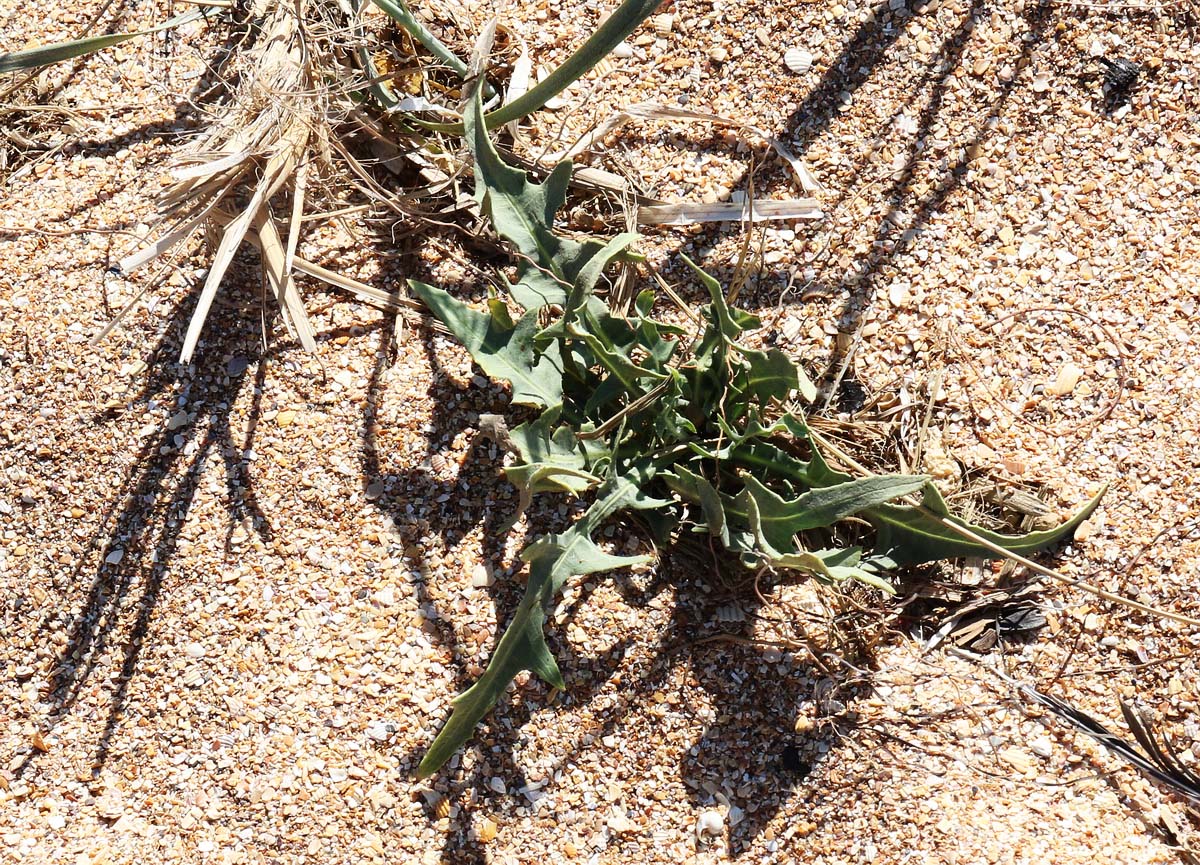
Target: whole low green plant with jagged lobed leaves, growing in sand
x=691, y=430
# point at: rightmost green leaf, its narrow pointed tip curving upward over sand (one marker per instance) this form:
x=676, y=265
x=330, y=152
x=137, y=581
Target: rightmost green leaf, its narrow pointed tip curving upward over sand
x=909, y=536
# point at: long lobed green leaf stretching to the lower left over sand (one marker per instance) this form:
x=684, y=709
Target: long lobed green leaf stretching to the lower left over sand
x=553, y=562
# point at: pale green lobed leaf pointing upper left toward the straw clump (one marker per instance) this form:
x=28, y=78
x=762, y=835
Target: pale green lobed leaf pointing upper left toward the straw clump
x=502, y=350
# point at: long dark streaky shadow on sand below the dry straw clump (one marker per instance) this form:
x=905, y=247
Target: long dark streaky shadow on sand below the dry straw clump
x=139, y=537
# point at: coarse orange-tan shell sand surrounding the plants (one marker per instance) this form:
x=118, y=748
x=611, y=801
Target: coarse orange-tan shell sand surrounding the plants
x=239, y=594
